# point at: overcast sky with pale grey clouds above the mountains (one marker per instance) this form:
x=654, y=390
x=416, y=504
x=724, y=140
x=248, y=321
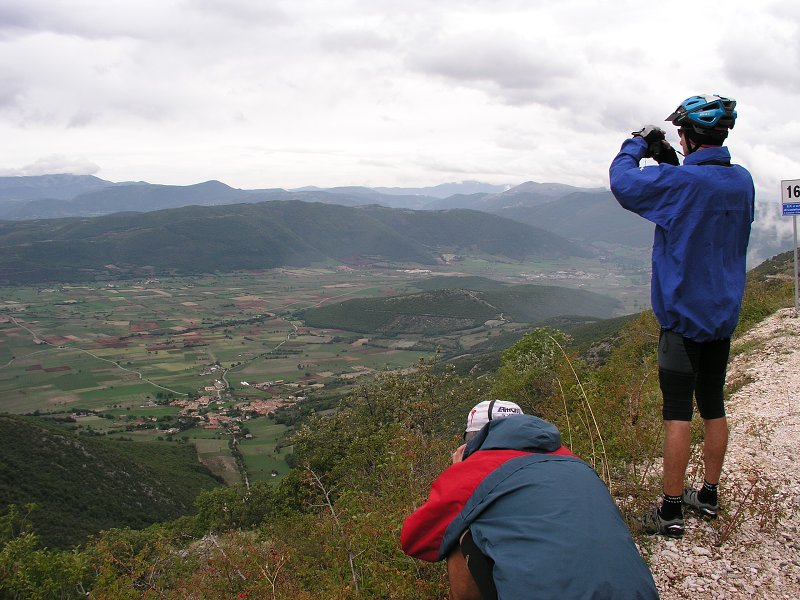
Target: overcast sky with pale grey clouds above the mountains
x=267, y=93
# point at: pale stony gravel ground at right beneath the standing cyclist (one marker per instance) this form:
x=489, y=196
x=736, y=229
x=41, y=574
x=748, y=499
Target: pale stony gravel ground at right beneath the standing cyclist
x=753, y=549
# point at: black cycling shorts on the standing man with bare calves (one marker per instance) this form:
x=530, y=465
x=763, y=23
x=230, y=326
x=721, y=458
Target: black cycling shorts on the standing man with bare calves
x=689, y=369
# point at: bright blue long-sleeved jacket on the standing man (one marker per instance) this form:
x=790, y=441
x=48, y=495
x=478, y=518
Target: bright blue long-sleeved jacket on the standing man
x=702, y=212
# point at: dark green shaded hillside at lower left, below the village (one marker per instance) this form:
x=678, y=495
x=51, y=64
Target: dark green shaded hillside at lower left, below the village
x=83, y=484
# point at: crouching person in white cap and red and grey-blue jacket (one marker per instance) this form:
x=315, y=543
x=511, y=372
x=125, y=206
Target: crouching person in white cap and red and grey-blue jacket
x=519, y=516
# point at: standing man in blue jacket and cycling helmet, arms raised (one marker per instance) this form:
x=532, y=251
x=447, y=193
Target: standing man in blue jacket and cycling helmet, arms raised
x=702, y=211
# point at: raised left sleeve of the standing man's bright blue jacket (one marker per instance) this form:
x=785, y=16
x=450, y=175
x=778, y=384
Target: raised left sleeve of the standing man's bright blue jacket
x=645, y=191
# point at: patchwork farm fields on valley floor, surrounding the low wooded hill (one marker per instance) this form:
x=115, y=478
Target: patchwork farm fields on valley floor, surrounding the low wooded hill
x=120, y=352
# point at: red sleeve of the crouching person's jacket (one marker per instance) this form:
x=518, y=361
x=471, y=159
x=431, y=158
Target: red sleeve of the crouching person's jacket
x=423, y=531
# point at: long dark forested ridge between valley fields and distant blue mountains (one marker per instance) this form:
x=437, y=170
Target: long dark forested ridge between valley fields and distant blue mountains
x=257, y=236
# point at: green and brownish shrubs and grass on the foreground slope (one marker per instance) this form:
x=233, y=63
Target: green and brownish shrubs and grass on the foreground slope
x=330, y=528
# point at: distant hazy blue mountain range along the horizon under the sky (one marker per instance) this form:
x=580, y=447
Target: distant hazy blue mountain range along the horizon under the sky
x=587, y=216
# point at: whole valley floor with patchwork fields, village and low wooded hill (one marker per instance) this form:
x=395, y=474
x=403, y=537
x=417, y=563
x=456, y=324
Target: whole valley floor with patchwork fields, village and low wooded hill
x=203, y=359
